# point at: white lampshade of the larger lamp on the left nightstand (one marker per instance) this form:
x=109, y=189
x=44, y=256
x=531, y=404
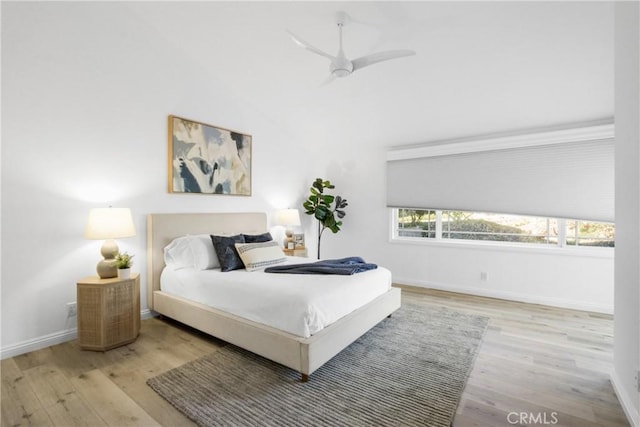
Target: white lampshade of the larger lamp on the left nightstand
x=109, y=223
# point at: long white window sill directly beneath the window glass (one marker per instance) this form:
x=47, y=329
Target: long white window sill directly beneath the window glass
x=573, y=251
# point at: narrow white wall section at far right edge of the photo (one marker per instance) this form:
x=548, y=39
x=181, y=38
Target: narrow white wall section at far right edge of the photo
x=627, y=266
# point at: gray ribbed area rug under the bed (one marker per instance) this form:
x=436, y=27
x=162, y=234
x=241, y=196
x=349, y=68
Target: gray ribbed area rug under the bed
x=409, y=370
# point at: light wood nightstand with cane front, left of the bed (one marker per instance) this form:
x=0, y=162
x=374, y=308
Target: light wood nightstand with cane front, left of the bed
x=108, y=312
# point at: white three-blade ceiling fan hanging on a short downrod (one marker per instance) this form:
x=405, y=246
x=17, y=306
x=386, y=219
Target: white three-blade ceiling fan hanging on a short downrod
x=341, y=66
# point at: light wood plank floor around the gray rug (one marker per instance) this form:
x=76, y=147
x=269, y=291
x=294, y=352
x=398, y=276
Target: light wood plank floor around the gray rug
x=538, y=365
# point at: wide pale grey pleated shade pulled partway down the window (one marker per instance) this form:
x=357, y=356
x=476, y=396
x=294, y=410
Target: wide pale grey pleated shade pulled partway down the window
x=567, y=180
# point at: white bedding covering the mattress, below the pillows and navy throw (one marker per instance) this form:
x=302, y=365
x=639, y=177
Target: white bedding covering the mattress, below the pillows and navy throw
x=299, y=304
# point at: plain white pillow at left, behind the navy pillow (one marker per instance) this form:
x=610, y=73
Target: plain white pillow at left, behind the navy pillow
x=191, y=252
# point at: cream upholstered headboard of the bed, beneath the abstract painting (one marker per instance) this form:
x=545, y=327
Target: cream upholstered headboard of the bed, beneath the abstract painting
x=163, y=228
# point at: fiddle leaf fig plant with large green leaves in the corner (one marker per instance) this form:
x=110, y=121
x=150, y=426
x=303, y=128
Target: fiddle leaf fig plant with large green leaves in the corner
x=325, y=207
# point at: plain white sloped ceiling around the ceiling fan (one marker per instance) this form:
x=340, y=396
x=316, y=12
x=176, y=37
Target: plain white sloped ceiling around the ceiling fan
x=481, y=67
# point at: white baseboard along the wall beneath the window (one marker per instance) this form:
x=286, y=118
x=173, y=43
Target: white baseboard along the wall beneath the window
x=512, y=296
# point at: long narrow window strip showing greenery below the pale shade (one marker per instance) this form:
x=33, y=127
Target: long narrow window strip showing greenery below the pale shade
x=417, y=224
